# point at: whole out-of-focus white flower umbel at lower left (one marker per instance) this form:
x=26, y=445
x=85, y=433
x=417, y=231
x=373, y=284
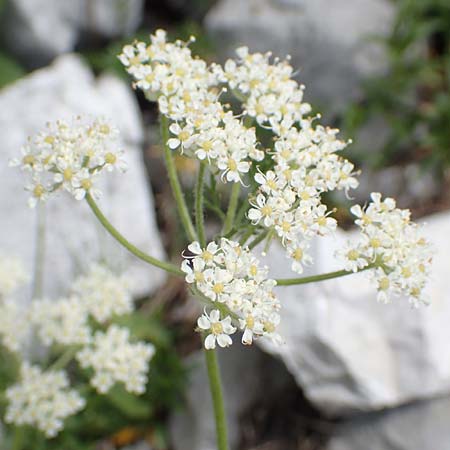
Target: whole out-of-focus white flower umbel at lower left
x=43, y=398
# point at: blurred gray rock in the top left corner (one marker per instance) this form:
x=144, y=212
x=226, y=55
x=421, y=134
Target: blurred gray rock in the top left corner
x=37, y=31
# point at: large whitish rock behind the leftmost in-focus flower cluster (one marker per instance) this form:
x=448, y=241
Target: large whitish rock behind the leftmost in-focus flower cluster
x=73, y=235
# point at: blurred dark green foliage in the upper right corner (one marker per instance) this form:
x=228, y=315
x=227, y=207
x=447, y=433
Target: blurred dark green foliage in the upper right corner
x=414, y=99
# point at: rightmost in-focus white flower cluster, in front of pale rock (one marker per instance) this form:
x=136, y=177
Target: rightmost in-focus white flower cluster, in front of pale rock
x=392, y=243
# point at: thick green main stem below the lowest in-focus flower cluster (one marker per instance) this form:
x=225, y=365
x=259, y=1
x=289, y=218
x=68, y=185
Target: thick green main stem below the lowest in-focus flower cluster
x=215, y=385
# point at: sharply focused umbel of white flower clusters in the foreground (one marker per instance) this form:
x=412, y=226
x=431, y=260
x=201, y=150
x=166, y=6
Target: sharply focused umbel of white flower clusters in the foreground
x=289, y=180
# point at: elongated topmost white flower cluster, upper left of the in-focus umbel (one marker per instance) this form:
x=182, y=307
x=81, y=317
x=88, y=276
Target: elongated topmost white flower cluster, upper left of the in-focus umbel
x=188, y=94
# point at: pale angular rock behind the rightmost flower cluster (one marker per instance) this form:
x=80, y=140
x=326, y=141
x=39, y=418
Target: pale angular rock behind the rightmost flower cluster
x=350, y=353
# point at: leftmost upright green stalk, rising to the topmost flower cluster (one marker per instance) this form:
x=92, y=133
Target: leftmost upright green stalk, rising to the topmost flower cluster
x=175, y=183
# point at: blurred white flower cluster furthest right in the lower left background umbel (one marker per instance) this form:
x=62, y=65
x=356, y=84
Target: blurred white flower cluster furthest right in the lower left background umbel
x=115, y=359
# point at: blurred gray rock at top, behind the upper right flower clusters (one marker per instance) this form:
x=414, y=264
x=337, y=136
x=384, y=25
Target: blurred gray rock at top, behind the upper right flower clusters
x=328, y=40
